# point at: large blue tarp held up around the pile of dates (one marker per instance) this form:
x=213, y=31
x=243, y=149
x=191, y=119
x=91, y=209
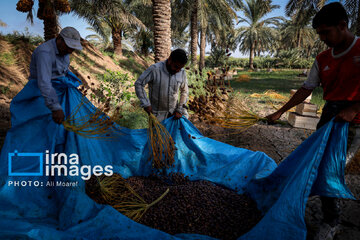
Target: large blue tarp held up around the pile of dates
x=43, y=212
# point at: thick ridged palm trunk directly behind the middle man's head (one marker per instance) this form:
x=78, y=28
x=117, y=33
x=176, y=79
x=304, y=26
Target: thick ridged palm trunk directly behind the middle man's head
x=162, y=29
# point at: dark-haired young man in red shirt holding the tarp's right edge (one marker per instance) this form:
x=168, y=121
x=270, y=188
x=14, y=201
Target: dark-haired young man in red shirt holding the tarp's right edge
x=337, y=71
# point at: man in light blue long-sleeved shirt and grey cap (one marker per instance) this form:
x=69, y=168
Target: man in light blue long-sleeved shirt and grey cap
x=51, y=60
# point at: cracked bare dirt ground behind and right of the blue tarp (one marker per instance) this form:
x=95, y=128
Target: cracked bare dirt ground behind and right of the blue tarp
x=278, y=142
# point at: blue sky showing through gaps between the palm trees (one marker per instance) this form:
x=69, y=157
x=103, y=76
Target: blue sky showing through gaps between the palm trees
x=16, y=21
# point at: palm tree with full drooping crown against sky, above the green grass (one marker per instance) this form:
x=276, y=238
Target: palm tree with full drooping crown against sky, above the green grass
x=258, y=35
